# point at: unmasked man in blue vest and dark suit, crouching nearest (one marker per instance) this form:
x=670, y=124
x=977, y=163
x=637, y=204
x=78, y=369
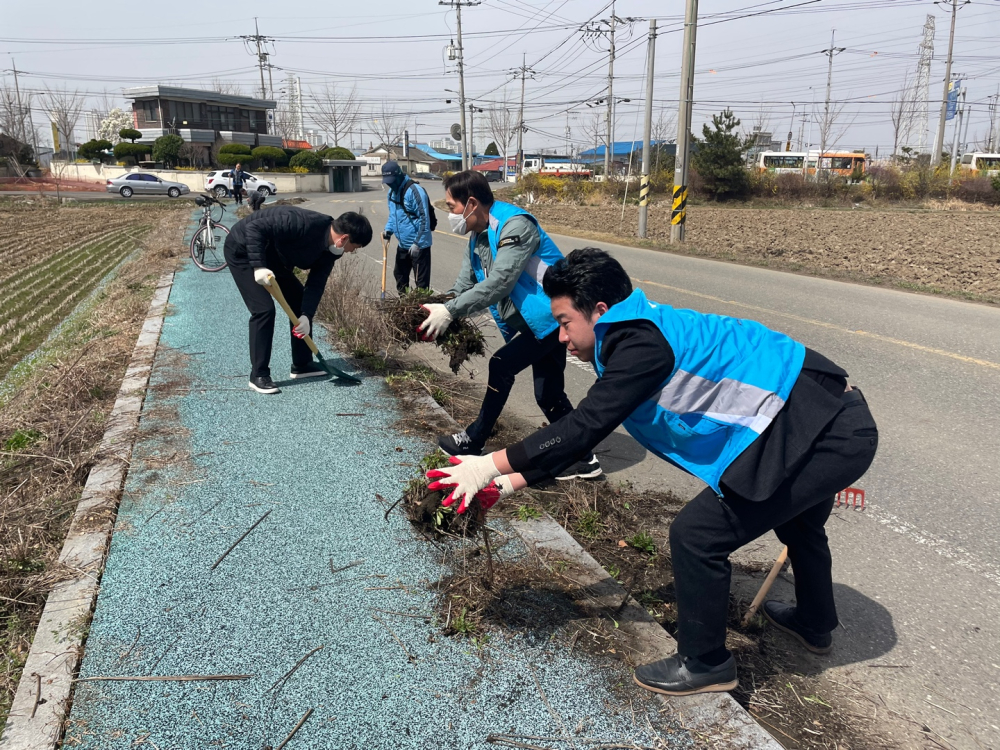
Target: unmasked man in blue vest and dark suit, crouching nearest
x=770, y=426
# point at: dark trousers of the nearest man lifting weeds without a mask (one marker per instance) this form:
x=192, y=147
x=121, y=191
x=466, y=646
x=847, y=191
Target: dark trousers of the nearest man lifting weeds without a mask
x=710, y=528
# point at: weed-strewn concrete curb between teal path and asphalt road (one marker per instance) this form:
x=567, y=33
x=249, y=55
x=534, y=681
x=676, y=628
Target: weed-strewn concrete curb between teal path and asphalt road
x=715, y=717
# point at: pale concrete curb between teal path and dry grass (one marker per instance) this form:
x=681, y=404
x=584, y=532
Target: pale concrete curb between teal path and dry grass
x=44, y=692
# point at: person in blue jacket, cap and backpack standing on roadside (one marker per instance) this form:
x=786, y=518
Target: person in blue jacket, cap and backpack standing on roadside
x=412, y=221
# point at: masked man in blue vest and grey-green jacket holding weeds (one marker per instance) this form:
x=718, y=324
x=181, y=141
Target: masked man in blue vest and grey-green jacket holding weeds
x=502, y=272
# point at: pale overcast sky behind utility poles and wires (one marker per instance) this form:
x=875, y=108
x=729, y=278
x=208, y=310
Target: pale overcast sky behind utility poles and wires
x=395, y=51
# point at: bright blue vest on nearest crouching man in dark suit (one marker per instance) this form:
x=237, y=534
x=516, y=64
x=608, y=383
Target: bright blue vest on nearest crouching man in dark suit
x=731, y=377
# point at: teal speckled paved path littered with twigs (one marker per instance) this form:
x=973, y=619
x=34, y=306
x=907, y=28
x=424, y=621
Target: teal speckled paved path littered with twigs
x=213, y=458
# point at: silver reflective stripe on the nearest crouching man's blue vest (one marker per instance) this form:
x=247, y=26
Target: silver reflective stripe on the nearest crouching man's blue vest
x=727, y=401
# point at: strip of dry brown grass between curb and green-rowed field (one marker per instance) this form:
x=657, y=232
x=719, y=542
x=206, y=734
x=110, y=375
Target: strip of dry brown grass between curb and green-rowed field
x=50, y=429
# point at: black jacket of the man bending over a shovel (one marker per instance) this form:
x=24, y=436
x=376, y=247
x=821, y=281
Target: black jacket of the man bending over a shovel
x=283, y=238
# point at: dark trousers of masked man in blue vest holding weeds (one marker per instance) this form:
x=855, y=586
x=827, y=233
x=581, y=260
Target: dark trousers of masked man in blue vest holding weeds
x=547, y=359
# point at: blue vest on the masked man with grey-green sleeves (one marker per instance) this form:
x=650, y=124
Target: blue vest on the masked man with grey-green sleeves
x=527, y=294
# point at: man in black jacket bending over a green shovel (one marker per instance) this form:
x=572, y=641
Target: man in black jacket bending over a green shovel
x=265, y=248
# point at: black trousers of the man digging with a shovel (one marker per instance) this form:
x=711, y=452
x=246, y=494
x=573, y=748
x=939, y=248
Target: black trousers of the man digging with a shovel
x=262, y=311
